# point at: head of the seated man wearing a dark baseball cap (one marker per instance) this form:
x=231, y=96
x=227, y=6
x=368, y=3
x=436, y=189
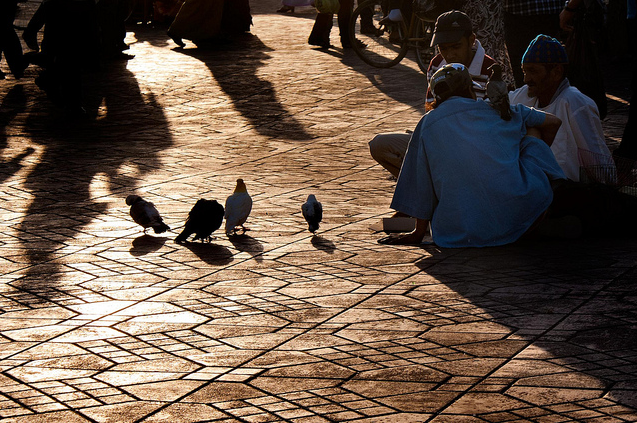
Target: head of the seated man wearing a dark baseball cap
x=453, y=34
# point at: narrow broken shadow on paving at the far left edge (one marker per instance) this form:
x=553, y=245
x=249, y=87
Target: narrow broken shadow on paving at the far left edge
x=13, y=103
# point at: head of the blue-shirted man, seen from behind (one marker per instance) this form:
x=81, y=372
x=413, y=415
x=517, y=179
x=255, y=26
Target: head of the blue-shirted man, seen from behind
x=451, y=80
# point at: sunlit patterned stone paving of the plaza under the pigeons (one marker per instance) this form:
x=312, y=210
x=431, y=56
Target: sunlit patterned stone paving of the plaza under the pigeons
x=102, y=323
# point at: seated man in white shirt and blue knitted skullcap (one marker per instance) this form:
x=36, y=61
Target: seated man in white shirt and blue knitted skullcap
x=547, y=89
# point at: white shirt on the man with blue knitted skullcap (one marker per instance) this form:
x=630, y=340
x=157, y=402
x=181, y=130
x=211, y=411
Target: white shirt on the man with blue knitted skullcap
x=581, y=127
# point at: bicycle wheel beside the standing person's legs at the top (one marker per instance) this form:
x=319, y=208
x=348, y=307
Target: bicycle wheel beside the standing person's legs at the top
x=378, y=45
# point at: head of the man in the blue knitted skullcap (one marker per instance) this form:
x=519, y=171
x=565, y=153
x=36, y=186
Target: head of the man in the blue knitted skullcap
x=544, y=66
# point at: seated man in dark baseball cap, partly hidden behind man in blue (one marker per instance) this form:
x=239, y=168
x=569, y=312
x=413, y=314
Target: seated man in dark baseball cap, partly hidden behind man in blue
x=453, y=34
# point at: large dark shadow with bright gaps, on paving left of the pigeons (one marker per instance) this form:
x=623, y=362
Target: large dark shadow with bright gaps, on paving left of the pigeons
x=116, y=145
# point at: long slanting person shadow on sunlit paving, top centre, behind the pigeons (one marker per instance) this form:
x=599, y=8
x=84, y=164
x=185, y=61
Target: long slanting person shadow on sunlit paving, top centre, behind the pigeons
x=234, y=66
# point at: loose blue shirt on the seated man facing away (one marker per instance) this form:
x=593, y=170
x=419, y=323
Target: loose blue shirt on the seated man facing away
x=477, y=178
